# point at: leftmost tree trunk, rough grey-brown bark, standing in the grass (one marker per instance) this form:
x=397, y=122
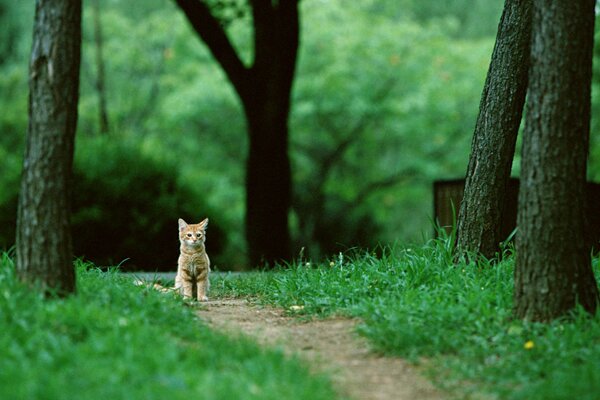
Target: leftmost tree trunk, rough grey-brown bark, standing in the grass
x=44, y=249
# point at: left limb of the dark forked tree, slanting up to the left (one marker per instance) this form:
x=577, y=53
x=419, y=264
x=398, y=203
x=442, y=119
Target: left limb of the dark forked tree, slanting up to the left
x=212, y=33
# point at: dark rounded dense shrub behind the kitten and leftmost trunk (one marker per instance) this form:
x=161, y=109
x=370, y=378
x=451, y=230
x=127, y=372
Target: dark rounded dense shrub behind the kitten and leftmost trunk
x=125, y=207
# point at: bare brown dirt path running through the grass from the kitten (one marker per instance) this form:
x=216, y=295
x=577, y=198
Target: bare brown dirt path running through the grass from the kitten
x=328, y=345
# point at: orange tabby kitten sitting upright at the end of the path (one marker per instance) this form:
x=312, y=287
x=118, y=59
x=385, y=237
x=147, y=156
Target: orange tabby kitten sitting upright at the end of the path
x=193, y=265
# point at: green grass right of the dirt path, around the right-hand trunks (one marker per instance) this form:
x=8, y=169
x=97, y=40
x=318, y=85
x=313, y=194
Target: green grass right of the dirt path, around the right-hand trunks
x=417, y=304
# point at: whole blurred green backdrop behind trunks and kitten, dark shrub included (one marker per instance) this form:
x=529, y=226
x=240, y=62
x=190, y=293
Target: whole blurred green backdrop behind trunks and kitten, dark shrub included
x=384, y=102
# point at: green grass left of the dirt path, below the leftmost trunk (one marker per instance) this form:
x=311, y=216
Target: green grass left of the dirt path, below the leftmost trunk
x=113, y=340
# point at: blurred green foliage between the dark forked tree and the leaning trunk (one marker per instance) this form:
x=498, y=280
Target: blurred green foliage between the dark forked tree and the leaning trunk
x=381, y=110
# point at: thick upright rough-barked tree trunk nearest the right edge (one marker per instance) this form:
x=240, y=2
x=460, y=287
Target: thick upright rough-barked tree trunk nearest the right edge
x=553, y=267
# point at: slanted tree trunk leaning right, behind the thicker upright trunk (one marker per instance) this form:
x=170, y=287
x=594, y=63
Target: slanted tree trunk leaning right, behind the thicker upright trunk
x=493, y=146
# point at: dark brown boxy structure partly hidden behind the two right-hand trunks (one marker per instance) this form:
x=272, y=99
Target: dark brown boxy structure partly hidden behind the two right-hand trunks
x=449, y=193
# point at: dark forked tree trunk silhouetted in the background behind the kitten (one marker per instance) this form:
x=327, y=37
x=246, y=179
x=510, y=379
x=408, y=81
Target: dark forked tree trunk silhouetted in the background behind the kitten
x=264, y=89
